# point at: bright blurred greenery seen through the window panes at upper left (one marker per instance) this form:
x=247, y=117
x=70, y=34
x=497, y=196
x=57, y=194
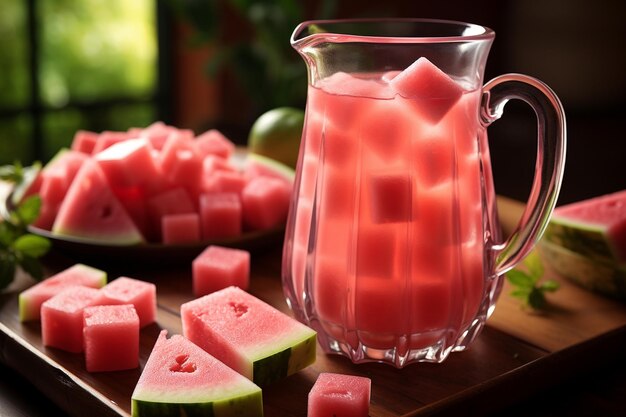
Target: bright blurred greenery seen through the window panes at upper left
x=89, y=51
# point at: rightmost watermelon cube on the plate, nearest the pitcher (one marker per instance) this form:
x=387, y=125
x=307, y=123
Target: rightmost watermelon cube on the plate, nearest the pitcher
x=265, y=202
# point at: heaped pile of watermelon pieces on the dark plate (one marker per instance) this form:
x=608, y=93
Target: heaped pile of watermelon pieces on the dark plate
x=123, y=188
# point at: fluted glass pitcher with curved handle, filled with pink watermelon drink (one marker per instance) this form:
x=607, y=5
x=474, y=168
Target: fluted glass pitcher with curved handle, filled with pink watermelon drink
x=393, y=251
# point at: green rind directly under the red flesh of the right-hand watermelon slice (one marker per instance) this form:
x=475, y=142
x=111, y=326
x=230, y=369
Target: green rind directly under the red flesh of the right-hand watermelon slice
x=589, y=240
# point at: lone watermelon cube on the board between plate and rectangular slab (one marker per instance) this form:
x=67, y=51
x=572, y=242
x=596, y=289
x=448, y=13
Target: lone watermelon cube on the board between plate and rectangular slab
x=217, y=267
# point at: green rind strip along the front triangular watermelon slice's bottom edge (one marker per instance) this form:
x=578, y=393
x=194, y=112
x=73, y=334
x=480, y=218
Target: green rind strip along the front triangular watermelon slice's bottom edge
x=244, y=405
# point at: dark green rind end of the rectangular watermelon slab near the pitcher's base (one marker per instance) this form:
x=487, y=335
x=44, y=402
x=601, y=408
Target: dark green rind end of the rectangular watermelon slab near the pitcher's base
x=279, y=363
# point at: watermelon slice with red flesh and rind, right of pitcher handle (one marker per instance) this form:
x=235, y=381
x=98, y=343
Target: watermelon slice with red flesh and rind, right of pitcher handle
x=594, y=228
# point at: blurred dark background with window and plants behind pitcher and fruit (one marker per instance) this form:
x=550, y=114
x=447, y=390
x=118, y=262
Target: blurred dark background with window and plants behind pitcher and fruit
x=114, y=64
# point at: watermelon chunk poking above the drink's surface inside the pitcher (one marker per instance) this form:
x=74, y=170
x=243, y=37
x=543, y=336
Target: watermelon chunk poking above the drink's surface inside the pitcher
x=432, y=89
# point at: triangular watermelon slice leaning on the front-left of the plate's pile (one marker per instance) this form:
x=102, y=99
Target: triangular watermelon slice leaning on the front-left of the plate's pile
x=90, y=210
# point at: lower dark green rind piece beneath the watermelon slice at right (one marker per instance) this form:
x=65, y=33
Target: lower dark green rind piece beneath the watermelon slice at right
x=596, y=275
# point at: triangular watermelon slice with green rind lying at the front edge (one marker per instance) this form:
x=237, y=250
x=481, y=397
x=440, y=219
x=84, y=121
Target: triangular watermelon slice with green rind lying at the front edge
x=180, y=379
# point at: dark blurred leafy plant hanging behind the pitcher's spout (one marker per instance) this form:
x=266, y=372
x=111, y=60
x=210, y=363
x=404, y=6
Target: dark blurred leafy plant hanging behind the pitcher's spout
x=261, y=57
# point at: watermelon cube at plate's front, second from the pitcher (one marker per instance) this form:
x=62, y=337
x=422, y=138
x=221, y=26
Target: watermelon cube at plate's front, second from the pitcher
x=220, y=215
